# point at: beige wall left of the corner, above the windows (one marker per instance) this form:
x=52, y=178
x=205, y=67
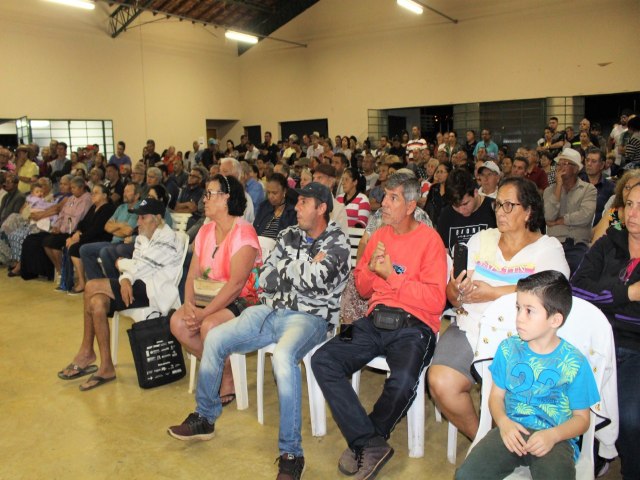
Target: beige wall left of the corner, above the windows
x=160, y=81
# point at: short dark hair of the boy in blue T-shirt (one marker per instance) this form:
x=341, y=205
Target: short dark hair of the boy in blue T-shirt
x=553, y=290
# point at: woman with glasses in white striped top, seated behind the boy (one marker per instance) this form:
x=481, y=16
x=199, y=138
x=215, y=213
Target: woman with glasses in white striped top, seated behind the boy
x=497, y=259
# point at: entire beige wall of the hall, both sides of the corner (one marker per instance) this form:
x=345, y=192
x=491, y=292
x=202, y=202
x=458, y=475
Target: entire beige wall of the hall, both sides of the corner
x=164, y=80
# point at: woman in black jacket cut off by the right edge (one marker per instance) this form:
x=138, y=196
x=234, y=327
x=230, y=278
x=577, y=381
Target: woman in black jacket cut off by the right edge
x=609, y=278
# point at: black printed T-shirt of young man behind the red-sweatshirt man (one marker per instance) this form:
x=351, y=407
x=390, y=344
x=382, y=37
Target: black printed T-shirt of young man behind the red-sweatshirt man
x=454, y=228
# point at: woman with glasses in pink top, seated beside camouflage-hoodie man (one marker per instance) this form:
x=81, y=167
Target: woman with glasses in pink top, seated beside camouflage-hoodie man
x=225, y=250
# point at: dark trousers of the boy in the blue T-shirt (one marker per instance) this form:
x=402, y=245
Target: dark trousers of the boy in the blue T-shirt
x=490, y=459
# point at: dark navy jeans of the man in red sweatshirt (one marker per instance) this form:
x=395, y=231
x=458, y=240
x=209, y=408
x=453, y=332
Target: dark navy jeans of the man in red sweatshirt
x=408, y=351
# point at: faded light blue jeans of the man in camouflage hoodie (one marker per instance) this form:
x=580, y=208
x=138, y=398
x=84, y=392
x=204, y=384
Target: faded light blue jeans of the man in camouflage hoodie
x=295, y=333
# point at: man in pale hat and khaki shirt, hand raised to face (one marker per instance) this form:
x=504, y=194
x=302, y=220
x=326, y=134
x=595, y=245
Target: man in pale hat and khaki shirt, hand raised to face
x=569, y=208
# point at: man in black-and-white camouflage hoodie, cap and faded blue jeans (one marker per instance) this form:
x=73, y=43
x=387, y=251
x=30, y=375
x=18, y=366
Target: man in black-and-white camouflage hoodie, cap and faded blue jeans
x=302, y=280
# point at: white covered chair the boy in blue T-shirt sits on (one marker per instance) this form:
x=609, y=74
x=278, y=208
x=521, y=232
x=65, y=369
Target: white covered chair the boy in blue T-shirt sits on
x=587, y=329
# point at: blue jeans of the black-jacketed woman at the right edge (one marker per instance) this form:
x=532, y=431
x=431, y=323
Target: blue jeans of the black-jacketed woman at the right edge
x=628, y=363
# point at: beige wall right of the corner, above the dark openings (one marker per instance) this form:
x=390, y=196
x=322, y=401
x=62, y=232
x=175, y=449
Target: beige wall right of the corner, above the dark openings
x=370, y=54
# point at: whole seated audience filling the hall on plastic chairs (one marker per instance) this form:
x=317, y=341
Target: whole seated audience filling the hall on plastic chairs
x=532, y=220
